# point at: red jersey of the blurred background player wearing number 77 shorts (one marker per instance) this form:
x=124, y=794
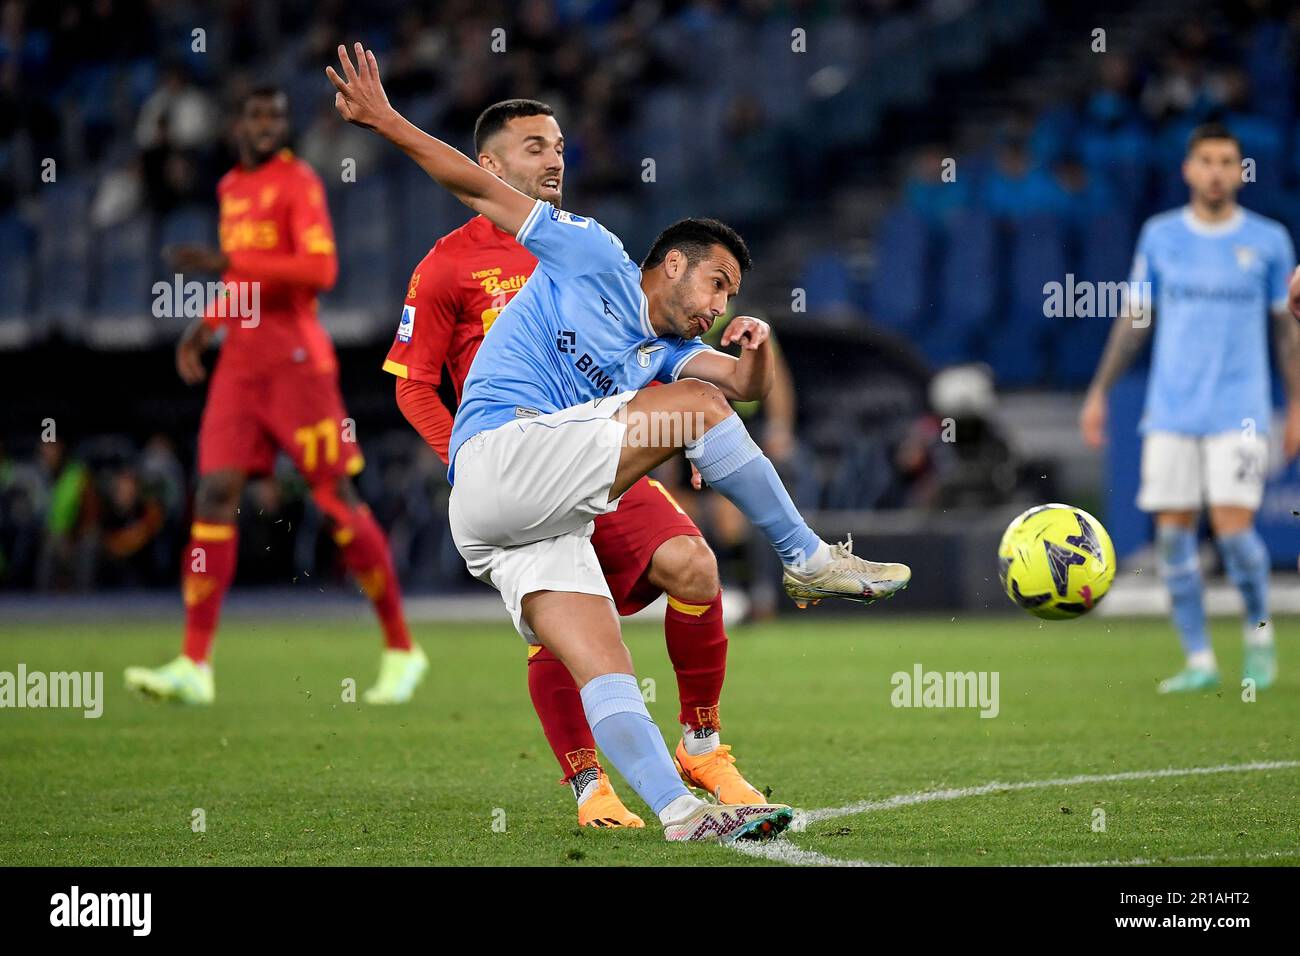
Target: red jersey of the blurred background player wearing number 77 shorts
x=276, y=232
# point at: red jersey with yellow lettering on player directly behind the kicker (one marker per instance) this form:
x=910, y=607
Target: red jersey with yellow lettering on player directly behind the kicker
x=456, y=295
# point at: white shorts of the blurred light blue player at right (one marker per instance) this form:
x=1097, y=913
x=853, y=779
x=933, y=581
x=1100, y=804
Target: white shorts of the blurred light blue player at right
x=1186, y=473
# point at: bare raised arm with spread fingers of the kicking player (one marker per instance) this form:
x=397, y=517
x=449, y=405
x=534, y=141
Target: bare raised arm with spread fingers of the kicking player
x=361, y=101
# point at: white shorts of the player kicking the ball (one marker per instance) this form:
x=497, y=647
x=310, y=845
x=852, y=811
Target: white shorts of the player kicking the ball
x=526, y=496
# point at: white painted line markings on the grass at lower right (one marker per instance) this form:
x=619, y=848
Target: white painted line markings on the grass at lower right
x=783, y=851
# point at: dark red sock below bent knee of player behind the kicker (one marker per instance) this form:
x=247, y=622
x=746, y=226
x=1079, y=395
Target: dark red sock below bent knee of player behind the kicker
x=697, y=647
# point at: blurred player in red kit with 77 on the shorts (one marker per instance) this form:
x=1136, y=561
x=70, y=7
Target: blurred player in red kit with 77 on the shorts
x=275, y=388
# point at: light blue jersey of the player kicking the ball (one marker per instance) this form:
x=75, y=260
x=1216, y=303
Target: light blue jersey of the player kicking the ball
x=579, y=330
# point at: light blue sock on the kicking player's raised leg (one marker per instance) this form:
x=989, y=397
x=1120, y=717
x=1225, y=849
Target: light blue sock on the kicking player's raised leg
x=730, y=461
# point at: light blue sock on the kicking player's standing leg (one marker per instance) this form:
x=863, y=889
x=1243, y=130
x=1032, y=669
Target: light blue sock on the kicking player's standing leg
x=623, y=729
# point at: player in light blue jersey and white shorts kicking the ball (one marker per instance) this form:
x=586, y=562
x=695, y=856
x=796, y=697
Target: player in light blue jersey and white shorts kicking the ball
x=556, y=426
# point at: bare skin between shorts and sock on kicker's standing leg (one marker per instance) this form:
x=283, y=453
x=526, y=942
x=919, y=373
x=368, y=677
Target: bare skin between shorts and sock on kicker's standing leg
x=580, y=630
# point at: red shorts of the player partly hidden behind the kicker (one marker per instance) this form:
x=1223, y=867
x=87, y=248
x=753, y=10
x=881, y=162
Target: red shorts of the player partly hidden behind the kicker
x=626, y=542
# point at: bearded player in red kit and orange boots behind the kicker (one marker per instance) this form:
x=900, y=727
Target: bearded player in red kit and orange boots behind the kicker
x=647, y=547
